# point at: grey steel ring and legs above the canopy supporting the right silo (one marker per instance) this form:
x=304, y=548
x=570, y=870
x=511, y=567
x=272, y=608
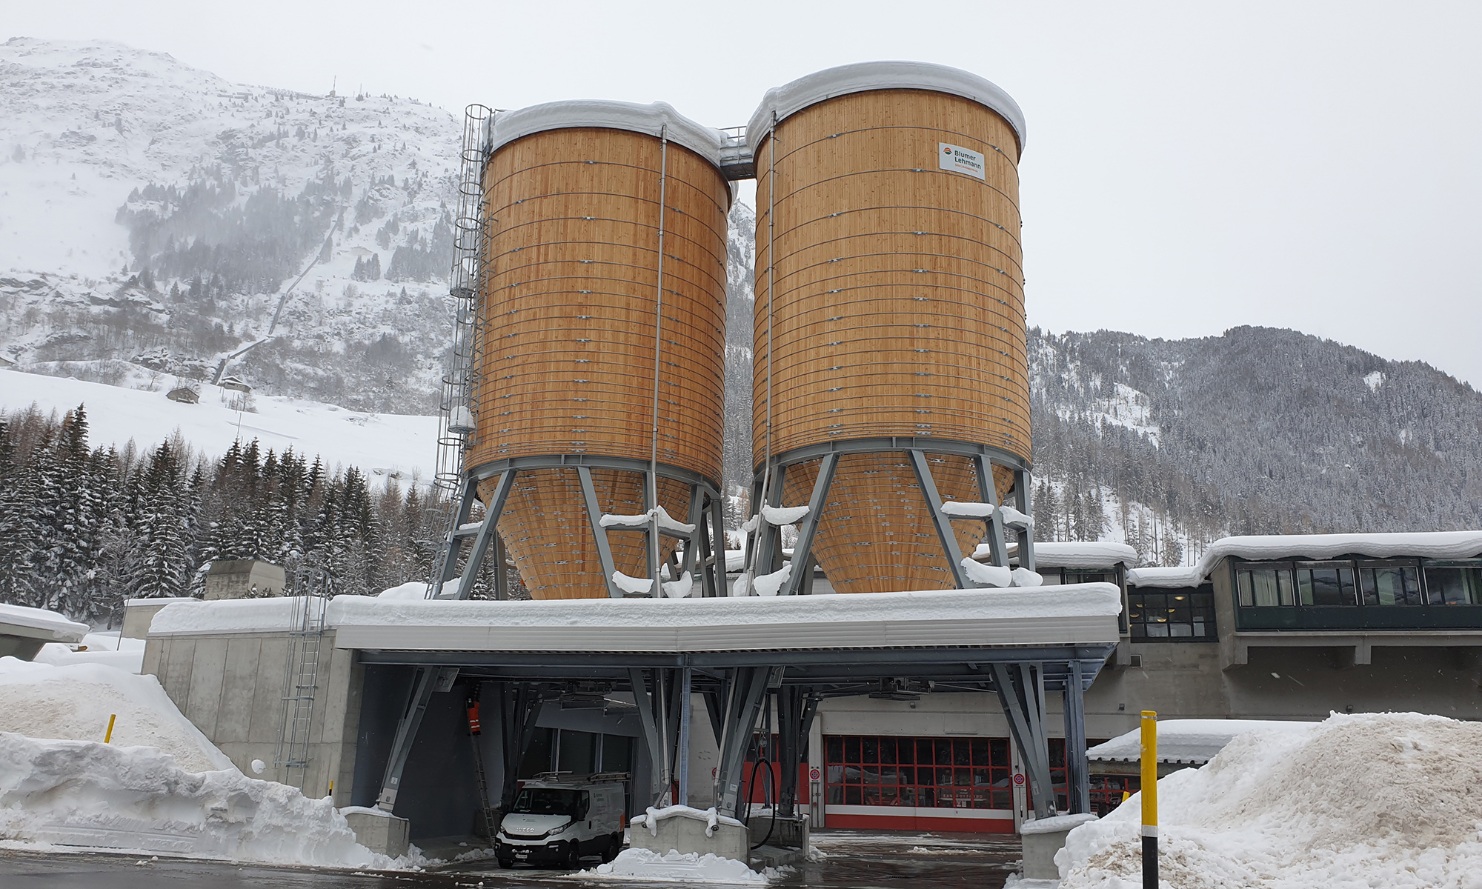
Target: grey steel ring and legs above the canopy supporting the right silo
x=764, y=543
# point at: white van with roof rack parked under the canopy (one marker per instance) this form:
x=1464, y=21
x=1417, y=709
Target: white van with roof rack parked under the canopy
x=559, y=819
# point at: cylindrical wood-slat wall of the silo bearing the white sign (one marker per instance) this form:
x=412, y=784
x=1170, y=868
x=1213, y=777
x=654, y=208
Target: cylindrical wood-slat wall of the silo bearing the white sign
x=900, y=303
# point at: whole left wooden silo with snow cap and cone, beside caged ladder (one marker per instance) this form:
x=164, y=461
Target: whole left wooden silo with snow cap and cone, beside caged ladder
x=605, y=230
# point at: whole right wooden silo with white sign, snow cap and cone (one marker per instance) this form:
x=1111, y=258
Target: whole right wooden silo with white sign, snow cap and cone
x=890, y=312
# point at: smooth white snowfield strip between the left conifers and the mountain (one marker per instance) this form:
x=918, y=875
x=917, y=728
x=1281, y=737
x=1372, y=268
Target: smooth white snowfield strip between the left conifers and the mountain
x=382, y=445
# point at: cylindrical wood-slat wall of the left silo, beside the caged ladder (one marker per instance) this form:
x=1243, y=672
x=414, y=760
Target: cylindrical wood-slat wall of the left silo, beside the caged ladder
x=568, y=302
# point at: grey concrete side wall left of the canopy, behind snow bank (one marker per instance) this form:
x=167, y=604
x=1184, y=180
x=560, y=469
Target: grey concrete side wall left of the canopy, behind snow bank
x=232, y=690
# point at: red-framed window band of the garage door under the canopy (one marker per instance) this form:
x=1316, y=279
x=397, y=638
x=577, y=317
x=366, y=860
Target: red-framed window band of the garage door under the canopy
x=926, y=773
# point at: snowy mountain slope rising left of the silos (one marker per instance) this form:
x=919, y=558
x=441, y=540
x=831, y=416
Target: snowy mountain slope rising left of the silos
x=158, y=217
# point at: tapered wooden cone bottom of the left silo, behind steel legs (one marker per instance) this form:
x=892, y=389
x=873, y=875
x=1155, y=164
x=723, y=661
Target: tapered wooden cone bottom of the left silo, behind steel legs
x=549, y=537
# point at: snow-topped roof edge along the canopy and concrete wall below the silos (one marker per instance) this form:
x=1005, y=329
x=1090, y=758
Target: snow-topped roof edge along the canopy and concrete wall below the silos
x=1083, y=614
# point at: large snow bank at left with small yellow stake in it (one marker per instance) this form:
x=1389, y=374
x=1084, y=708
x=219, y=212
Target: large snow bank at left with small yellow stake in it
x=159, y=788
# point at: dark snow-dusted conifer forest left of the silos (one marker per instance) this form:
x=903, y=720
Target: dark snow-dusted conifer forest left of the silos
x=90, y=528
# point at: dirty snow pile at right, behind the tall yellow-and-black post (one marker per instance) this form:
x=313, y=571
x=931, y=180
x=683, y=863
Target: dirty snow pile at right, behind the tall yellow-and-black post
x=1358, y=801
